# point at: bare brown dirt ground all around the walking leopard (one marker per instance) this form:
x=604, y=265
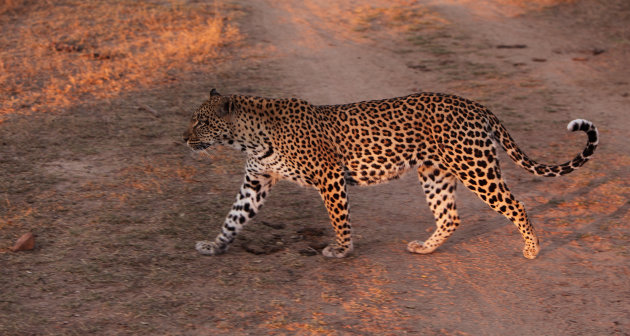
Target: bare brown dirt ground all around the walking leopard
x=116, y=201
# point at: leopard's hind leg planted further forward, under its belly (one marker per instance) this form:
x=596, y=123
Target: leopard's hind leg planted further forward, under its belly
x=439, y=188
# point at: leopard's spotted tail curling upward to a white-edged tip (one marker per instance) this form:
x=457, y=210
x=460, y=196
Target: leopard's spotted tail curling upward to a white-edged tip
x=539, y=169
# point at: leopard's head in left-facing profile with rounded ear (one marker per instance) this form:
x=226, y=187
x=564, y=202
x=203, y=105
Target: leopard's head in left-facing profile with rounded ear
x=210, y=122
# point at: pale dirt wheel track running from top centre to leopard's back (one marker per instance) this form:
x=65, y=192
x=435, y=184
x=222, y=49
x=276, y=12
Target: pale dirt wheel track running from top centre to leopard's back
x=308, y=49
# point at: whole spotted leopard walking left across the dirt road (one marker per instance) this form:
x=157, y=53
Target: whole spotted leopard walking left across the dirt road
x=446, y=138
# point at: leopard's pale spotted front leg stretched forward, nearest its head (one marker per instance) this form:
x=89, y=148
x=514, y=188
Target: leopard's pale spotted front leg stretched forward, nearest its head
x=249, y=199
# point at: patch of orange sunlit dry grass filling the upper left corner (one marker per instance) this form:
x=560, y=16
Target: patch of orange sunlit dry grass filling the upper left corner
x=52, y=56
